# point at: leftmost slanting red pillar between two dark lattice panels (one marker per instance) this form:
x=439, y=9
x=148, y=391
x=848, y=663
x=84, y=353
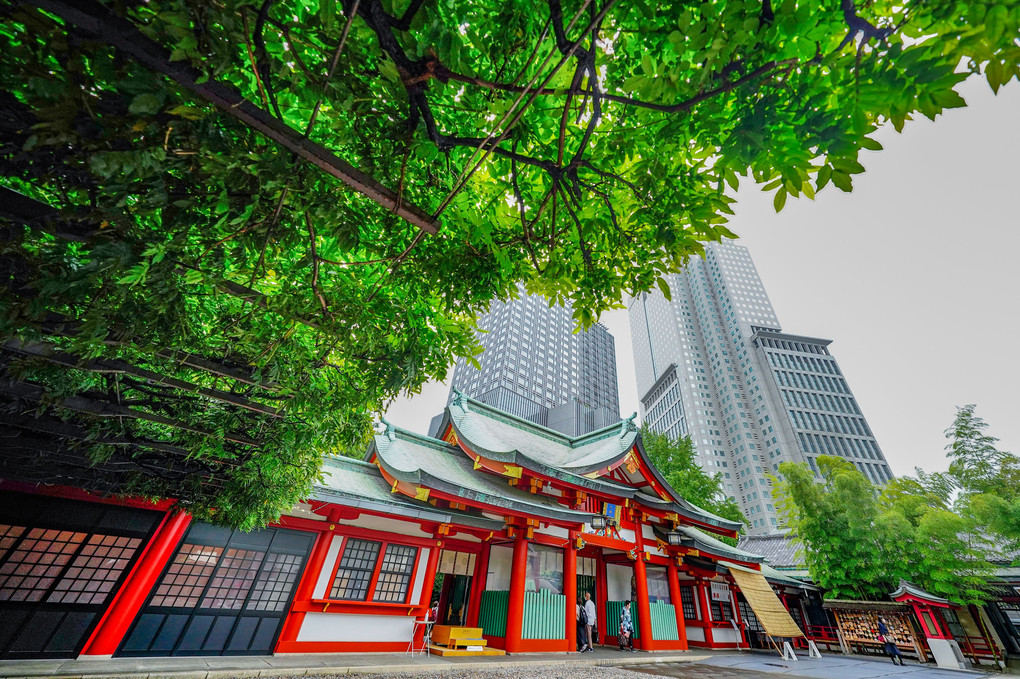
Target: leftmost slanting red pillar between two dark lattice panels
x=113, y=629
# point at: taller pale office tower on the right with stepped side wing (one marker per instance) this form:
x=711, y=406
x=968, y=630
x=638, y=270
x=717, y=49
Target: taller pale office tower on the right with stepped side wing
x=713, y=363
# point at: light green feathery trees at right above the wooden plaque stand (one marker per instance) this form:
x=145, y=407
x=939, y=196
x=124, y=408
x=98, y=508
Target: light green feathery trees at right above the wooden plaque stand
x=859, y=541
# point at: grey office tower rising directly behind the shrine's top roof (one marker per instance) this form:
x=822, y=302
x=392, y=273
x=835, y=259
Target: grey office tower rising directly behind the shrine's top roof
x=535, y=367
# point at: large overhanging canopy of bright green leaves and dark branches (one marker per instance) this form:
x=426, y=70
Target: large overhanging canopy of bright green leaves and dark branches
x=209, y=310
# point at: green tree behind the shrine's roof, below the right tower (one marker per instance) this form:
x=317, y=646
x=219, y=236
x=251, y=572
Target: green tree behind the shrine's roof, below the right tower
x=676, y=459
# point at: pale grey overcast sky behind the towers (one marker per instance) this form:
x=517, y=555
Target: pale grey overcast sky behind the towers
x=915, y=277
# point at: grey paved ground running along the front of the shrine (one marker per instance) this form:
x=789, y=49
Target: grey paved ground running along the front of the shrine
x=696, y=664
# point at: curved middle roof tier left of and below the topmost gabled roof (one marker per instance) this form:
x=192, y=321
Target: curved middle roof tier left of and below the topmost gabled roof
x=440, y=466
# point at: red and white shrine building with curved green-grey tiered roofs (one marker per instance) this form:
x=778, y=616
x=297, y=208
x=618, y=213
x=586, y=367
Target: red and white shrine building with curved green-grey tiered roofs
x=503, y=523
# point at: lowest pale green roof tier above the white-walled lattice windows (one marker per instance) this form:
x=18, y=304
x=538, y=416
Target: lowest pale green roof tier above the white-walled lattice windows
x=361, y=485
